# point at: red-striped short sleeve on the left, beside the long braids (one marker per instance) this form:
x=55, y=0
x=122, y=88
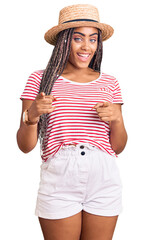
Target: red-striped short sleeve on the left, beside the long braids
x=32, y=86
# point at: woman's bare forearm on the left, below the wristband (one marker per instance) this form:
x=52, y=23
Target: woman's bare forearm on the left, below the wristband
x=27, y=137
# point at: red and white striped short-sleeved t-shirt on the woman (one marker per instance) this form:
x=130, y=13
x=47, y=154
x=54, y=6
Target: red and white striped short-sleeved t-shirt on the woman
x=73, y=121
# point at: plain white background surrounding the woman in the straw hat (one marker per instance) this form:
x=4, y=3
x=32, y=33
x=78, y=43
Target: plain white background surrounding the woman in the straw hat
x=22, y=51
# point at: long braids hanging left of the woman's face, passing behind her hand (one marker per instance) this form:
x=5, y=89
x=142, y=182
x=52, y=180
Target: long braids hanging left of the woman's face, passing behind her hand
x=54, y=69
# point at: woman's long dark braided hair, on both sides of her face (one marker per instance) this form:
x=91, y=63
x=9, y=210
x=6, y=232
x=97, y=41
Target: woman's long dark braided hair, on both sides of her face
x=56, y=66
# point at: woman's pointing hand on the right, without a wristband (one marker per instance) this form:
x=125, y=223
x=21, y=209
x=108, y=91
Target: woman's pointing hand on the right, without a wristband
x=108, y=111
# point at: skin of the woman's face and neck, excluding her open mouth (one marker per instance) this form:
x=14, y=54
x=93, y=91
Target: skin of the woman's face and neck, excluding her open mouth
x=87, y=44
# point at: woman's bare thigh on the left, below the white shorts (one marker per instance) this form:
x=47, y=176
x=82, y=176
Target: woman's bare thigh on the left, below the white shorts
x=66, y=228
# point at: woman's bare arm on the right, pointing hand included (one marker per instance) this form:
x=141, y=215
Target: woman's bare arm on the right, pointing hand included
x=113, y=114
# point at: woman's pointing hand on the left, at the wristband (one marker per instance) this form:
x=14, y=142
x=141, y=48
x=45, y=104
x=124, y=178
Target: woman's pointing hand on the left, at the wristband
x=41, y=105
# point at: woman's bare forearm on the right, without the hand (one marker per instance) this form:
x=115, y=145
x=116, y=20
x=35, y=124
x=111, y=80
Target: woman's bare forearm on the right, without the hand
x=118, y=135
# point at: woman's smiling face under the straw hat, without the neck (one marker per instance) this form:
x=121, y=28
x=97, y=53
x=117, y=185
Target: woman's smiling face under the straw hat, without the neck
x=83, y=46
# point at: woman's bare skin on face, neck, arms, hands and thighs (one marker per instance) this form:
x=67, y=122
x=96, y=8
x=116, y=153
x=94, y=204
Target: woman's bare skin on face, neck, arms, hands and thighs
x=81, y=226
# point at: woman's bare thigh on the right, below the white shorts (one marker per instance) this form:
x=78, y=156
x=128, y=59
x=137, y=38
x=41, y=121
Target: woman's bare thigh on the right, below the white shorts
x=97, y=227
